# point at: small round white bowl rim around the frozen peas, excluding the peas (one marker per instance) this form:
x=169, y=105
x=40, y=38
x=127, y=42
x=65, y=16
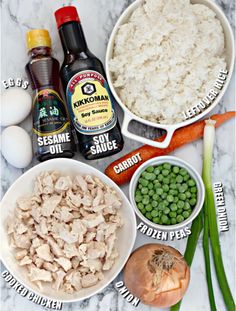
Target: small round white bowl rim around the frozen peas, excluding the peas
x=193, y=173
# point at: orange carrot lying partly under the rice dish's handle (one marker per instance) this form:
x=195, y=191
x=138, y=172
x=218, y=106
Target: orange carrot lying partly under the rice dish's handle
x=122, y=169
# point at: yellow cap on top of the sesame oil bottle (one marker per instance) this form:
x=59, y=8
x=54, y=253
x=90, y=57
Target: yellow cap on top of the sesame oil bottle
x=38, y=37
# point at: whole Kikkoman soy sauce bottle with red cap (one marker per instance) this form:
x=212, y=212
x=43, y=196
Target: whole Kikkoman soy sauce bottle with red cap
x=89, y=99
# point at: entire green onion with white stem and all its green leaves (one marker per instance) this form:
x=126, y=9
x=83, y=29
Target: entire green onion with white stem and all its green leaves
x=210, y=229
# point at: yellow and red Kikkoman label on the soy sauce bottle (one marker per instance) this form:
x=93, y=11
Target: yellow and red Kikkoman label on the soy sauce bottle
x=90, y=103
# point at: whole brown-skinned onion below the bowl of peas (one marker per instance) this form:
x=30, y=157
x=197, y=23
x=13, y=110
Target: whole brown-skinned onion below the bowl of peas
x=157, y=274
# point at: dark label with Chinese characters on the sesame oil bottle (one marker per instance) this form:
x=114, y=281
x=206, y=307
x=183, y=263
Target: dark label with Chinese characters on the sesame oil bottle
x=51, y=126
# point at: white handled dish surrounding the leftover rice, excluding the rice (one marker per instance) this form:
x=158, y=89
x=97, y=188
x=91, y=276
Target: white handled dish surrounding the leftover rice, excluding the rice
x=169, y=128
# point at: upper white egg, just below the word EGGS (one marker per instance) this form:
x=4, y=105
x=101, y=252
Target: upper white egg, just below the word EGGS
x=15, y=106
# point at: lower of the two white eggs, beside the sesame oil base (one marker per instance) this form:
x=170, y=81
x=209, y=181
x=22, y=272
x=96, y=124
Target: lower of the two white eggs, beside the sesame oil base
x=16, y=146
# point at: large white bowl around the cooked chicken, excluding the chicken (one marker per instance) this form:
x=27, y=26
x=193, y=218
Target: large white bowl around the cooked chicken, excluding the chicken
x=24, y=186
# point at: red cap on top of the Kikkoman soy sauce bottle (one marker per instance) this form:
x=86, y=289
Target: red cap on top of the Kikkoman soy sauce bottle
x=66, y=14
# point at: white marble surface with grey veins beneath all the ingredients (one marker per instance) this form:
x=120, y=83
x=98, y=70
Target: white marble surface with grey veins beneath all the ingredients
x=98, y=18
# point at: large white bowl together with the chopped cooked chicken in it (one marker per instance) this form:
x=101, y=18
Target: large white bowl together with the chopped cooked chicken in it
x=67, y=230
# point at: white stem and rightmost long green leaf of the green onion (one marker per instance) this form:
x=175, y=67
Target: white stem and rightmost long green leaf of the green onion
x=209, y=134
